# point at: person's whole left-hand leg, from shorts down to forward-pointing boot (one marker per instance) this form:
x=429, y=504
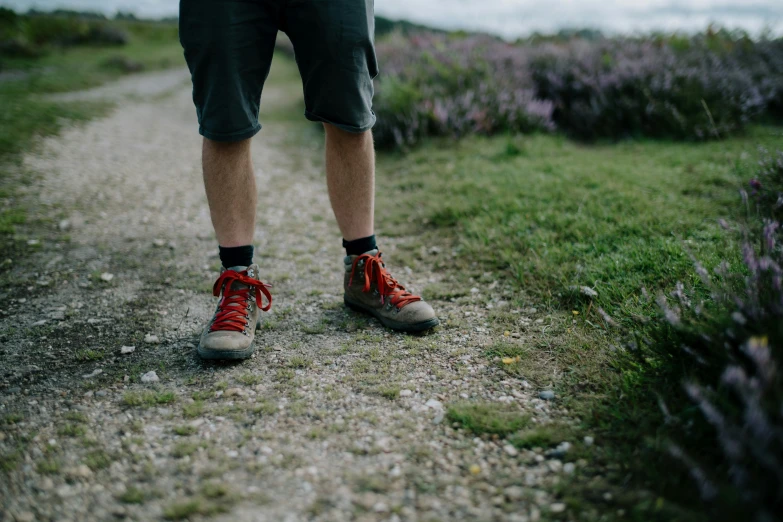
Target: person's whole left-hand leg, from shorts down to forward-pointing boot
x=228, y=47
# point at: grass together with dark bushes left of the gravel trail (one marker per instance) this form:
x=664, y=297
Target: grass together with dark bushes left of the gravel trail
x=42, y=54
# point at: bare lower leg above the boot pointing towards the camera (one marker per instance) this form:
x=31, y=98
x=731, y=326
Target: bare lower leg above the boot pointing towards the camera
x=231, y=191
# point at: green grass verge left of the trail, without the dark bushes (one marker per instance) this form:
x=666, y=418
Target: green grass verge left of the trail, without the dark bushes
x=27, y=114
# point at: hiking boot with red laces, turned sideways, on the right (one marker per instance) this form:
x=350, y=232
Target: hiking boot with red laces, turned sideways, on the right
x=369, y=288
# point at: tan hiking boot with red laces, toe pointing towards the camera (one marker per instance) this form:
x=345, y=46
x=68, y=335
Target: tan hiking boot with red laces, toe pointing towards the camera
x=230, y=333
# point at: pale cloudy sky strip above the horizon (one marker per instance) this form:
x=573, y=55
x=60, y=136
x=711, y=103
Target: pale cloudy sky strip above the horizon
x=512, y=18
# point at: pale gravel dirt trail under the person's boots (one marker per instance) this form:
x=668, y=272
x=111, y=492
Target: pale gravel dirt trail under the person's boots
x=332, y=419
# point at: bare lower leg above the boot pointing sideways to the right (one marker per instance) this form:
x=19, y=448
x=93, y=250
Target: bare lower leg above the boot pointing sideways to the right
x=350, y=177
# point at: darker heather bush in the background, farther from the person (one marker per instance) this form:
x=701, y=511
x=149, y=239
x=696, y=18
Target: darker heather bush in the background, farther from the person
x=621, y=88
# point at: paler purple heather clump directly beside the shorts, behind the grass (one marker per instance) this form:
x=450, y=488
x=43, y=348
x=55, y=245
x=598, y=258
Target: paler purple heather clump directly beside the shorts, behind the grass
x=432, y=84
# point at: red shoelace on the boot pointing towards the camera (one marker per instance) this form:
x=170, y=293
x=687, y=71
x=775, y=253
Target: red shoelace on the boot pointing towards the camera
x=233, y=310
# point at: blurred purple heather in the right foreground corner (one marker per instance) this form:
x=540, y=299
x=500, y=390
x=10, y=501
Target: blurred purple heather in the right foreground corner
x=737, y=349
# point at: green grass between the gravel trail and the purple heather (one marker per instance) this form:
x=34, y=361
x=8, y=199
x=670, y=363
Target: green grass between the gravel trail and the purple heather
x=549, y=216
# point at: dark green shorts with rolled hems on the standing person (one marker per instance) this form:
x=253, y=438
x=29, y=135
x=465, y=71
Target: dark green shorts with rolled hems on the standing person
x=229, y=45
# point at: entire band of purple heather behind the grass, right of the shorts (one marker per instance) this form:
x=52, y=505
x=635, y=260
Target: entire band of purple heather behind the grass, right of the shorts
x=684, y=88
